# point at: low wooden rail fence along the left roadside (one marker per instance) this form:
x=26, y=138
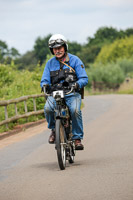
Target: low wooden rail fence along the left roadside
x=17, y=116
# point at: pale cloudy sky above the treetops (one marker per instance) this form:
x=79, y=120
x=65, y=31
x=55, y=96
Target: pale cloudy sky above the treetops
x=23, y=21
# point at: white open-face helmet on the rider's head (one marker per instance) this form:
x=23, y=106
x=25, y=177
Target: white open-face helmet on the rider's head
x=57, y=40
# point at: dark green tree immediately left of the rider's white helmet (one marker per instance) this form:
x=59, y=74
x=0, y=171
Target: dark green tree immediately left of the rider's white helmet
x=41, y=48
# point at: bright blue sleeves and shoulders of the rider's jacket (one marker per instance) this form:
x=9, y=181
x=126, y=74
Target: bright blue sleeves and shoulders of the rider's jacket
x=53, y=64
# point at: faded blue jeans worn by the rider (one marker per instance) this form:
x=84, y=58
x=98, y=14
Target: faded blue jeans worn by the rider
x=73, y=102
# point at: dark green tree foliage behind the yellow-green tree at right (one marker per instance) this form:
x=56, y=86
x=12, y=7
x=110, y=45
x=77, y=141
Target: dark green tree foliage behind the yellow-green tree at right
x=103, y=36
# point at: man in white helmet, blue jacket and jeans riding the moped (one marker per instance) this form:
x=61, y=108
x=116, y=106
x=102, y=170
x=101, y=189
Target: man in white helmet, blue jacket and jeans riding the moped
x=64, y=67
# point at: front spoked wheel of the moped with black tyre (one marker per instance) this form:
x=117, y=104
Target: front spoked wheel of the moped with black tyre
x=60, y=144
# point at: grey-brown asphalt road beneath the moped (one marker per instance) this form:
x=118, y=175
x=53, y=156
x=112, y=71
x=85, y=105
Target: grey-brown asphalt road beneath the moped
x=103, y=171
